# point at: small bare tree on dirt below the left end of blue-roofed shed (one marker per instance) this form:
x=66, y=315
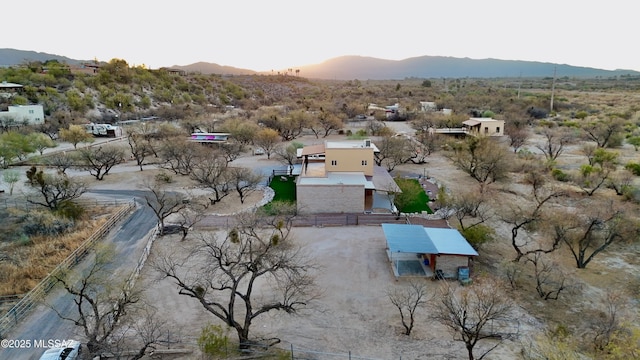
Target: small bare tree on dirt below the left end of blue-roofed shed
x=408, y=299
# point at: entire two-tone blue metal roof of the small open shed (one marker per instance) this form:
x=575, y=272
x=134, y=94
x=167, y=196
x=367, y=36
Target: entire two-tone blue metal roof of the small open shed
x=425, y=240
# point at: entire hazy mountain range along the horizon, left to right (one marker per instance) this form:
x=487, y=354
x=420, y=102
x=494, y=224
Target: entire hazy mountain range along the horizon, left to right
x=368, y=68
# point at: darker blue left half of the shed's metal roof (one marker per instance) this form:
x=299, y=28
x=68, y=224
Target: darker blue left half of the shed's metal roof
x=408, y=239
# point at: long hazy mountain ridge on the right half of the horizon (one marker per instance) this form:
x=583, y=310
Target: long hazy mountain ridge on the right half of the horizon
x=358, y=67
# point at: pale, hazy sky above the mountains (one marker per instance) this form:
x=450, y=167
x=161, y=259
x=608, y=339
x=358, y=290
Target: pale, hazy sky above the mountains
x=279, y=34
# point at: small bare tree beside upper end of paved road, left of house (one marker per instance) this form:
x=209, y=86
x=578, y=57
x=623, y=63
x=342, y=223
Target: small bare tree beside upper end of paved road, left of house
x=163, y=203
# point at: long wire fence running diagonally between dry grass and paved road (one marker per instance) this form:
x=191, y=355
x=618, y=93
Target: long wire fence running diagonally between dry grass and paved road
x=21, y=309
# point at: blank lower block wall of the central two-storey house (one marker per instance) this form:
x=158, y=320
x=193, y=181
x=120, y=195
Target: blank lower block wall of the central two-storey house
x=330, y=198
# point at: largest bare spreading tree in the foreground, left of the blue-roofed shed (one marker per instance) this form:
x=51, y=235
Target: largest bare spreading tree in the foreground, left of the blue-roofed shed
x=223, y=273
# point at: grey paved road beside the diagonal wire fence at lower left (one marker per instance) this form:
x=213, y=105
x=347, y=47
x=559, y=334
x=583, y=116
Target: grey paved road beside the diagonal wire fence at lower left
x=128, y=240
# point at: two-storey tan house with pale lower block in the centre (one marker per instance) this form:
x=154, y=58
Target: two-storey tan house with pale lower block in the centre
x=345, y=180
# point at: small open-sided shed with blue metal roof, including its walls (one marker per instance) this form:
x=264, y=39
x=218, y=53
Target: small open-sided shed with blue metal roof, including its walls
x=416, y=250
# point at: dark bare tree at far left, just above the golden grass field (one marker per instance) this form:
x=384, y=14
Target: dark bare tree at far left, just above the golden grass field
x=55, y=189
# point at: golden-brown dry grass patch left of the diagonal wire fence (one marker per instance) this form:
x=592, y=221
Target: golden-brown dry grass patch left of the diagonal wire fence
x=32, y=262
